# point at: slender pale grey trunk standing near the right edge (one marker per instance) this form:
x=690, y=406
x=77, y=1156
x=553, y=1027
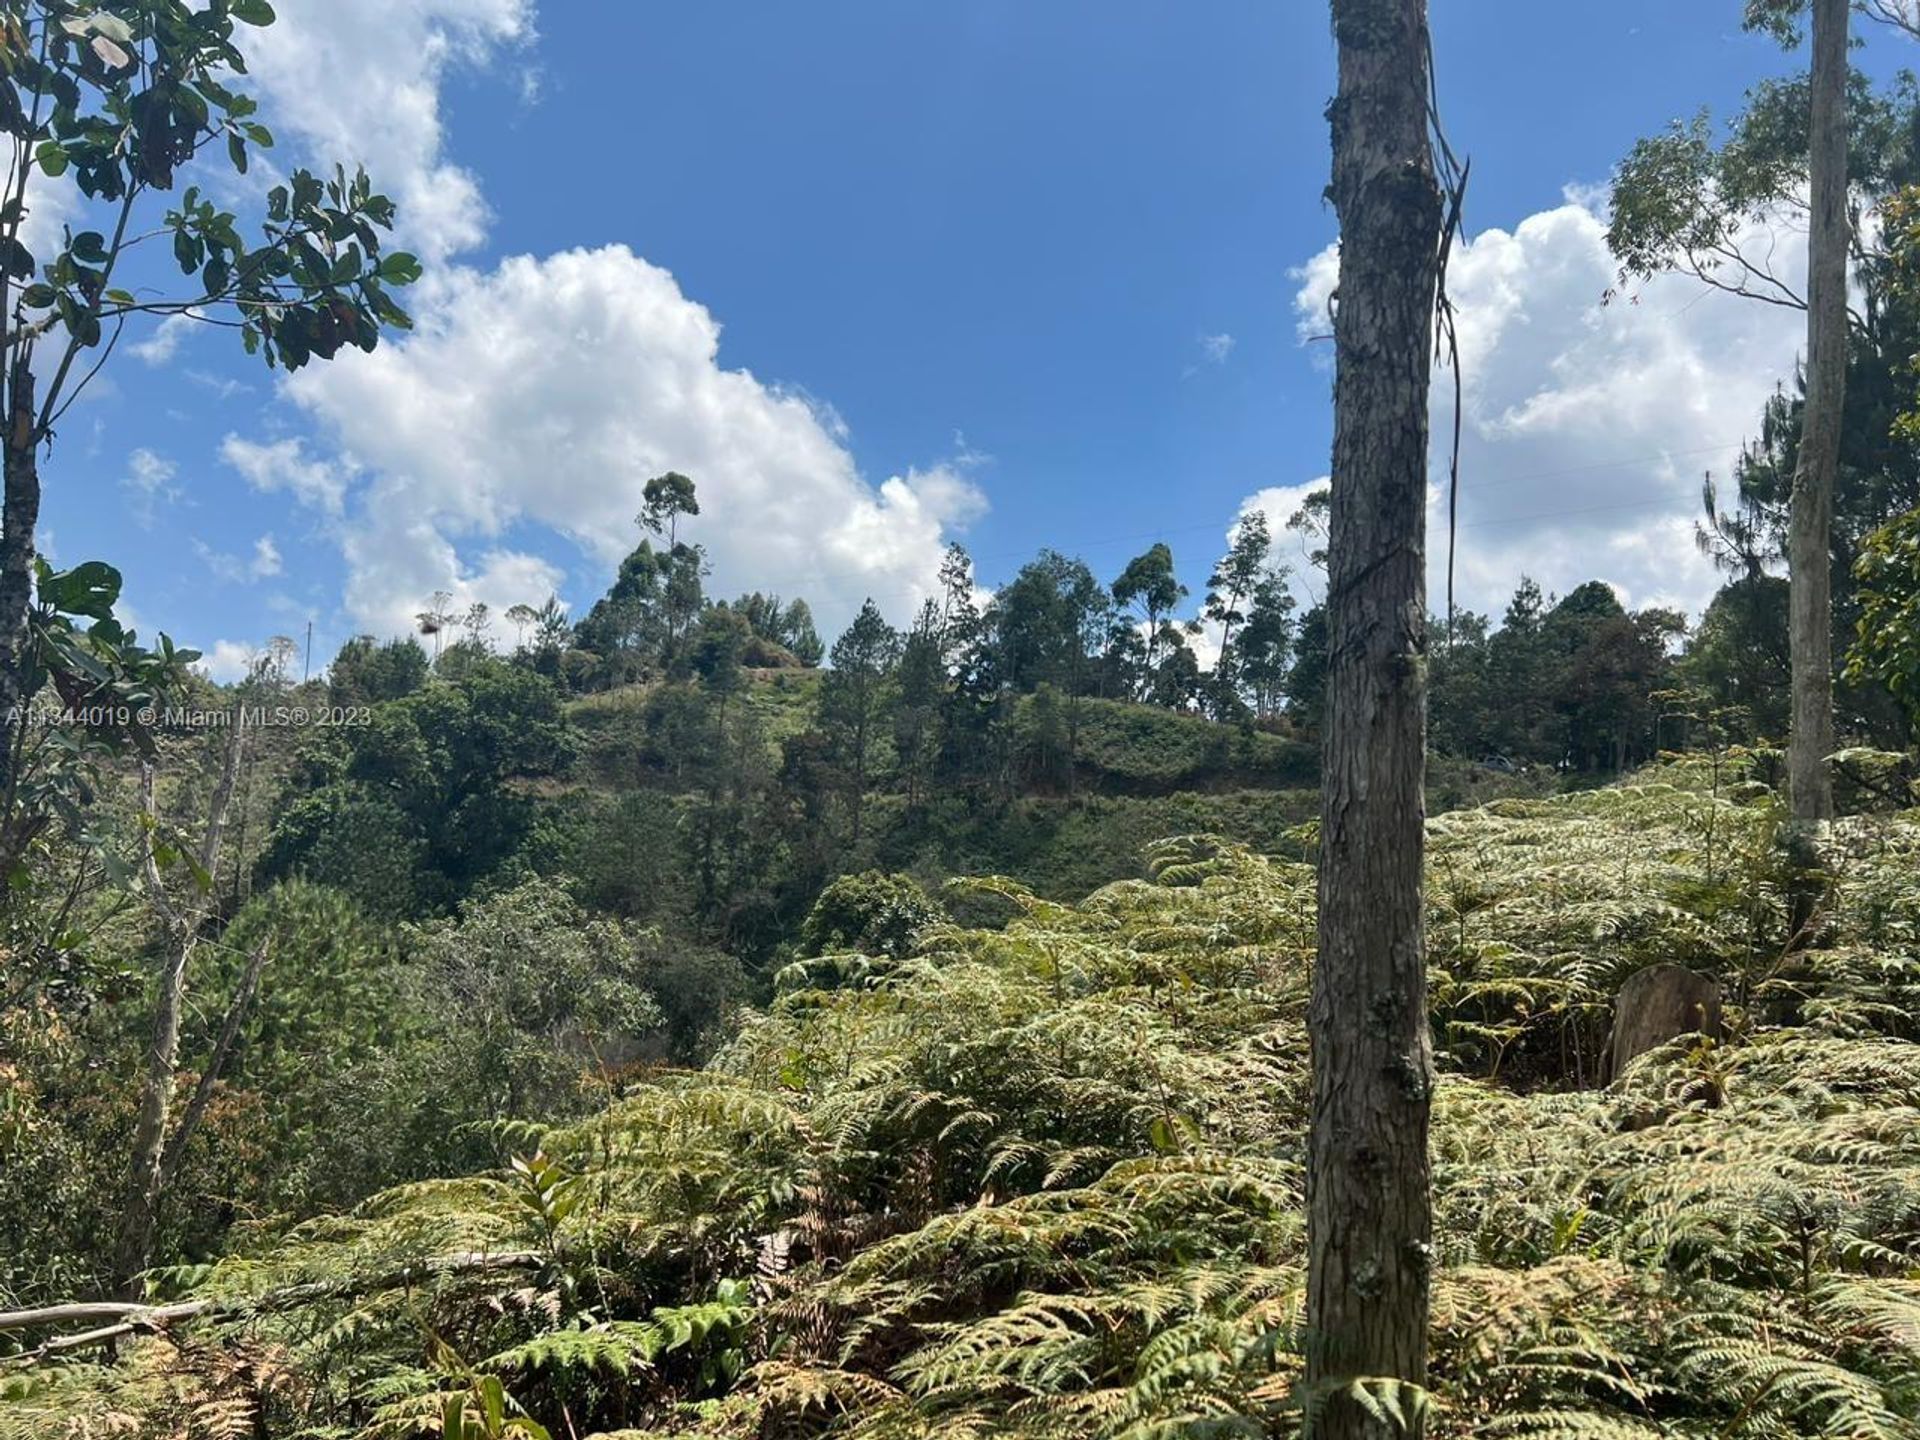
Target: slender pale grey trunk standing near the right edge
x=1810, y=548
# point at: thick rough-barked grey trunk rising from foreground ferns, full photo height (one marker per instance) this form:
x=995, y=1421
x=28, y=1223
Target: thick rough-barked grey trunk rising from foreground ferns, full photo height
x=1370, y=1214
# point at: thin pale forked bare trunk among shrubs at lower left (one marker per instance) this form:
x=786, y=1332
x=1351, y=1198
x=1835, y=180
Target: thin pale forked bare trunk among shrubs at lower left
x=181, y=926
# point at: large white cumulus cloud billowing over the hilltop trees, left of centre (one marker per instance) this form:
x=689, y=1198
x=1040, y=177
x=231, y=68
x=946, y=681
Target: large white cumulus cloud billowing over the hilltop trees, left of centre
x=542, y=396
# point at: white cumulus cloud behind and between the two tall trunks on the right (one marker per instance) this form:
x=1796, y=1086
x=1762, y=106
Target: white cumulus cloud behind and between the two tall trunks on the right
x=1587, y=425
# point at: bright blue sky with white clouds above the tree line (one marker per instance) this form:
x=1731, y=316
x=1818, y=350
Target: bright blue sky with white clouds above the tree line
x=888, y=274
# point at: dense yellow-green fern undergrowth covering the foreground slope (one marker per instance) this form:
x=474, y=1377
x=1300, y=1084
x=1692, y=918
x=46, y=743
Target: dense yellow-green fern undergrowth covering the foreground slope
x=1045, y=1180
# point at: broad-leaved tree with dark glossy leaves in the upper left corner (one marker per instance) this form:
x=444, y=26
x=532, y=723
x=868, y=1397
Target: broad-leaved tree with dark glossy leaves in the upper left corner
x=105, y=110
